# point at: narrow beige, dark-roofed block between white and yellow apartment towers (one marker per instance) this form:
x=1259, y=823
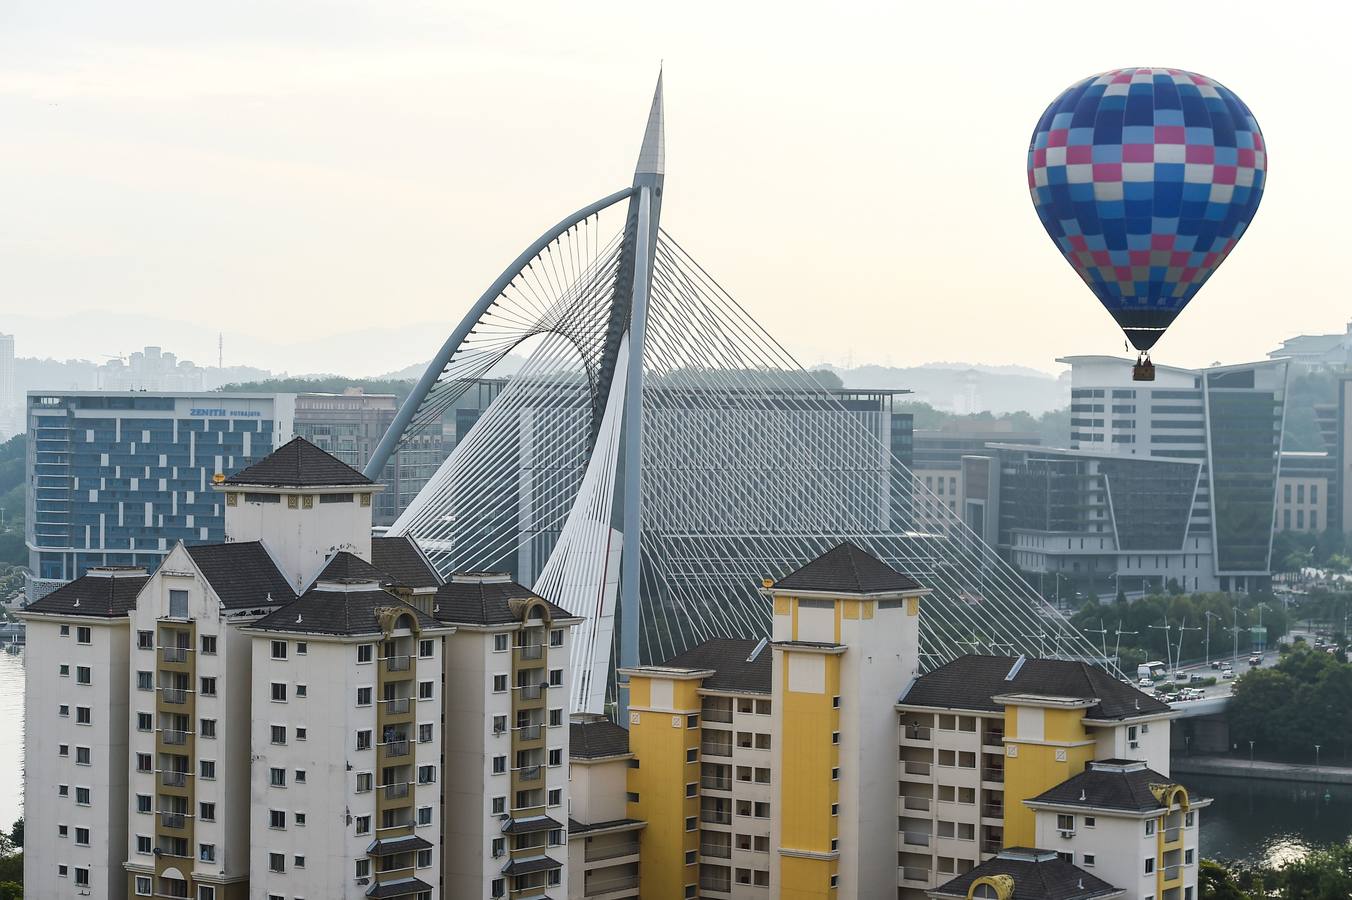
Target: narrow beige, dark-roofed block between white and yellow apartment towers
x=604, y=843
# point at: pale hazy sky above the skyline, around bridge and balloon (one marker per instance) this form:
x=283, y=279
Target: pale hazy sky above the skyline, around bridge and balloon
x=854, y=174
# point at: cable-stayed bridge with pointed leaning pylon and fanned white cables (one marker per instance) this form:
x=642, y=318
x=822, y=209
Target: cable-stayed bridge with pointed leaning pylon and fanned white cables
x=658, y=455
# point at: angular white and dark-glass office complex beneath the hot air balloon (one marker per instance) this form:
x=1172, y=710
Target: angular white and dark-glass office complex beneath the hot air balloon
x=1165, y=482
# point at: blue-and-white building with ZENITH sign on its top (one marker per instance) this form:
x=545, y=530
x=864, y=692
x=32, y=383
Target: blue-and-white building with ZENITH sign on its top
x=120, y=479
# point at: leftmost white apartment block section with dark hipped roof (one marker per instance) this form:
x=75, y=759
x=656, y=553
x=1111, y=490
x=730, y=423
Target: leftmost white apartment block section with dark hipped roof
x=76, y=737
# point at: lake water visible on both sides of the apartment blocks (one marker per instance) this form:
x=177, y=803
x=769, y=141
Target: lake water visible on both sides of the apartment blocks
x=1251, y=820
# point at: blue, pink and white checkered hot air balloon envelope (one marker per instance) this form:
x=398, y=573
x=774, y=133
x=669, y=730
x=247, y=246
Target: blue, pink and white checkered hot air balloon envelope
x=1147, y=179
